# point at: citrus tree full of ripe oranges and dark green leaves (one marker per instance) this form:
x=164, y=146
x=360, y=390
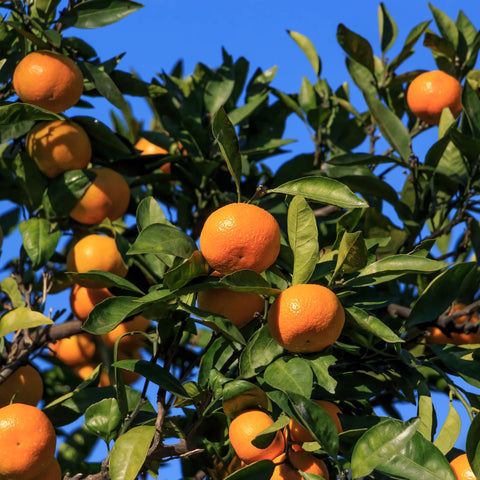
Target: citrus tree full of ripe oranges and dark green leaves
x=245, y=321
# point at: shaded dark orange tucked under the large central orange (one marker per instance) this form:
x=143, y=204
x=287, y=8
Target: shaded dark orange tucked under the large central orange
x=239, y=307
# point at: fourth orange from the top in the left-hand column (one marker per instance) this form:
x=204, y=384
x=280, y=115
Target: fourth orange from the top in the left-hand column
x=96, y=252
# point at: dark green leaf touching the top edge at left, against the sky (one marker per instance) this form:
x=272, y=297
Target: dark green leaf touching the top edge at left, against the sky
x=98, y=13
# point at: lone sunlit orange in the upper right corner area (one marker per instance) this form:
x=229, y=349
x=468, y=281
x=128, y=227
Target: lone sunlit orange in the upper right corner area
x=431, y=92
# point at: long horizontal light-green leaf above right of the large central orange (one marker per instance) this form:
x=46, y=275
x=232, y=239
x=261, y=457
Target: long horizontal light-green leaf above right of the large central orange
x=322, y=189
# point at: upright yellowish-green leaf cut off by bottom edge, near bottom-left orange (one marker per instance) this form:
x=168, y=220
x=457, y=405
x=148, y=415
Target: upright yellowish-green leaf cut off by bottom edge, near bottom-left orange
x=129, y=453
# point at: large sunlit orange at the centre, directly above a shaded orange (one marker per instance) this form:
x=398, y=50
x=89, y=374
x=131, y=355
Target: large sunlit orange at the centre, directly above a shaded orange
x=240, y=236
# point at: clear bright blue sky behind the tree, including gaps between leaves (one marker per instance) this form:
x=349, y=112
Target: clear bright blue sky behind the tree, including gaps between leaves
x=165, y=31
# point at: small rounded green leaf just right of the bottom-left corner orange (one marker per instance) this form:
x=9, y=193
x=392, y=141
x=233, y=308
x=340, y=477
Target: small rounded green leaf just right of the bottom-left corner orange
x=103, y=419
